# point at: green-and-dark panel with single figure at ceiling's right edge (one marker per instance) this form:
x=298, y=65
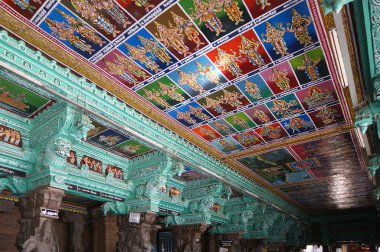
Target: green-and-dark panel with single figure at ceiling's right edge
x=310, y=66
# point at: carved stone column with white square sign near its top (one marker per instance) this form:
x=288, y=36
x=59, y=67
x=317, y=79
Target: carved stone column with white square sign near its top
x=137, y=237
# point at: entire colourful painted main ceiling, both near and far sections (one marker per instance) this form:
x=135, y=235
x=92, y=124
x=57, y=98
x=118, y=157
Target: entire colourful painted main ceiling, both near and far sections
x=237, y=75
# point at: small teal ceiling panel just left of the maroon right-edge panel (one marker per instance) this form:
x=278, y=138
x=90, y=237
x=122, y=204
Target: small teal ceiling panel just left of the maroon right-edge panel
x=285, y=106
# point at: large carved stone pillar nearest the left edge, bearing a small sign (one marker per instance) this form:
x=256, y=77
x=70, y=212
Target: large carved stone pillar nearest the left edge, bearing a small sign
x=37, y=231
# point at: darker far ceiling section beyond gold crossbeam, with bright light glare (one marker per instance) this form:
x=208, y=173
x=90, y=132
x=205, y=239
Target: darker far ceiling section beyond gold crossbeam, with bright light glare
x=324, y=171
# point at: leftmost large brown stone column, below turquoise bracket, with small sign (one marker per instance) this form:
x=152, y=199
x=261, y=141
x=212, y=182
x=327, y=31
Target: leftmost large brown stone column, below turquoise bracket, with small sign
x=30, y=208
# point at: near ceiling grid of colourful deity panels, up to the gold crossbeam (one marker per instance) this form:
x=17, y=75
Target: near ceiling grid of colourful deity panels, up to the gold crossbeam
x=235, y=73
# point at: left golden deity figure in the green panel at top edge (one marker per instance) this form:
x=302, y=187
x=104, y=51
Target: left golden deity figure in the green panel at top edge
x=206, y=12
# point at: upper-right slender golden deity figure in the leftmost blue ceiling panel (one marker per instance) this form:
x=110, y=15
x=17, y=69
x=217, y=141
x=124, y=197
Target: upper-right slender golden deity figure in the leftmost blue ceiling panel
x=78, y=26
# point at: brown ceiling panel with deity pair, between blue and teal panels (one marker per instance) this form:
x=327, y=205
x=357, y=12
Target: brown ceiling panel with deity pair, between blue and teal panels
x=224, y=101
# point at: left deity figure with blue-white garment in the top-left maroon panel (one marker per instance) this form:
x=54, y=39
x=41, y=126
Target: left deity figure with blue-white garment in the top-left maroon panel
x=89, y=11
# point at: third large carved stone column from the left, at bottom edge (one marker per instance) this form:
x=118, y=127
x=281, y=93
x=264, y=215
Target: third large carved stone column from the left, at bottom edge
x=188, y=237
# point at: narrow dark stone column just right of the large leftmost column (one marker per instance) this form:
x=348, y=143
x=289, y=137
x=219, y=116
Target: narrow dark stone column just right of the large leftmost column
x=76, y=230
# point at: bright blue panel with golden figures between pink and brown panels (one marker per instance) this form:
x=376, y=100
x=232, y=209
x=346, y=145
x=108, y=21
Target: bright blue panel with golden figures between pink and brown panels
x=147, y=52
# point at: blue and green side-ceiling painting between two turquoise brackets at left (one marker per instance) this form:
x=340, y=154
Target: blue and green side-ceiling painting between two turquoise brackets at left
x=116, y=142
